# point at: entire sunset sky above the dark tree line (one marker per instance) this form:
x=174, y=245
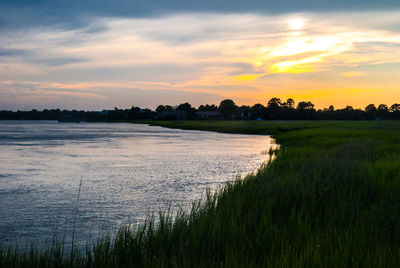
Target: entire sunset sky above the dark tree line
x=95, y=55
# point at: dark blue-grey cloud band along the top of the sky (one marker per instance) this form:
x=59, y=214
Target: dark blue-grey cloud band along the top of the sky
x=69, y=14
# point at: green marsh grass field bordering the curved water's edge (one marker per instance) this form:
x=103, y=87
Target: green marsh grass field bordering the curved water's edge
x=331, y=198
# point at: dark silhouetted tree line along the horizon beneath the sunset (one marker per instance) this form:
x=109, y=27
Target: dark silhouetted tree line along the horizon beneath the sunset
x=275, y=109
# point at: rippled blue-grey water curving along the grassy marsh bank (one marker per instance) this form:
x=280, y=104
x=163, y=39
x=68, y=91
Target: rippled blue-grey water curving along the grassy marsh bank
x=127, y=171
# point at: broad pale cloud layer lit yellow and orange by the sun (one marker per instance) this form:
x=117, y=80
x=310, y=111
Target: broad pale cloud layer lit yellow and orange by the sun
x=250, y=57
